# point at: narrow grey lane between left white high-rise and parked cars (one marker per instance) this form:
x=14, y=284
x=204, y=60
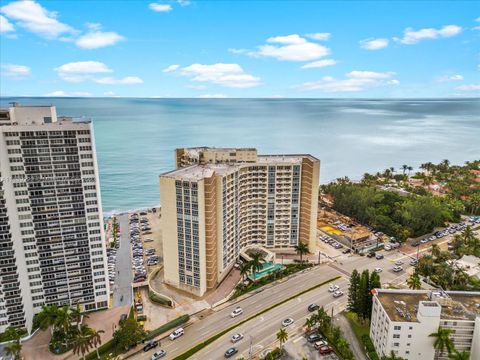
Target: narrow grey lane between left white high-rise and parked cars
x=122, y=289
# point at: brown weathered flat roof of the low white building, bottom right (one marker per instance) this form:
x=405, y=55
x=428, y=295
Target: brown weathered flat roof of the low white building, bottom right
x=402, y=305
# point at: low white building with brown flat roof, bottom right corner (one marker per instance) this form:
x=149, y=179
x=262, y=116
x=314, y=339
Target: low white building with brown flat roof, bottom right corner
x=402, y=321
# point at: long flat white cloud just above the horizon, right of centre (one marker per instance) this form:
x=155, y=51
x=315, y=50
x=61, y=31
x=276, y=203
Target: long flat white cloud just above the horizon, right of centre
x=354, y=81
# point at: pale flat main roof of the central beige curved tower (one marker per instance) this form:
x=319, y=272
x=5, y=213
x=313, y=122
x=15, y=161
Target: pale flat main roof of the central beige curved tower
x=199, y=171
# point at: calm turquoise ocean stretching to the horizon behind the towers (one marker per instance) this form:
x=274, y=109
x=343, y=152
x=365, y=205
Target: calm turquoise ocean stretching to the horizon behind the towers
x=136, y=138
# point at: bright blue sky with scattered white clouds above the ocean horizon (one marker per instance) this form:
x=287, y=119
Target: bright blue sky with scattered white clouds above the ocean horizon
x=240, y=48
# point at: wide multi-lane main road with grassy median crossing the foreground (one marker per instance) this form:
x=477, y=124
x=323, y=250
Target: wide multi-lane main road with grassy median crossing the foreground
x=220, y=319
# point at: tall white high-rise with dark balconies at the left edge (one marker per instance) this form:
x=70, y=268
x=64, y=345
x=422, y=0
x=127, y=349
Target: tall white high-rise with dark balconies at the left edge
x=51, y=224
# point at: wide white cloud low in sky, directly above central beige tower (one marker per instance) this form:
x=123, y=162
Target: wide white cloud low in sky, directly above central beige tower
x=228, y=75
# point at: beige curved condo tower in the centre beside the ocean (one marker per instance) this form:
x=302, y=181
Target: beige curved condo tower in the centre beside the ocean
x=219, y=201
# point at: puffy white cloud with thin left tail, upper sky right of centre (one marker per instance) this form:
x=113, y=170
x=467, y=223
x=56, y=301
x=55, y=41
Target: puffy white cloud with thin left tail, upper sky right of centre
x=289, y=48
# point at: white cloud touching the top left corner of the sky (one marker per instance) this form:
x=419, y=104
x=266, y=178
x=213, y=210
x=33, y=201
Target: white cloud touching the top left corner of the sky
x=35, y=18
